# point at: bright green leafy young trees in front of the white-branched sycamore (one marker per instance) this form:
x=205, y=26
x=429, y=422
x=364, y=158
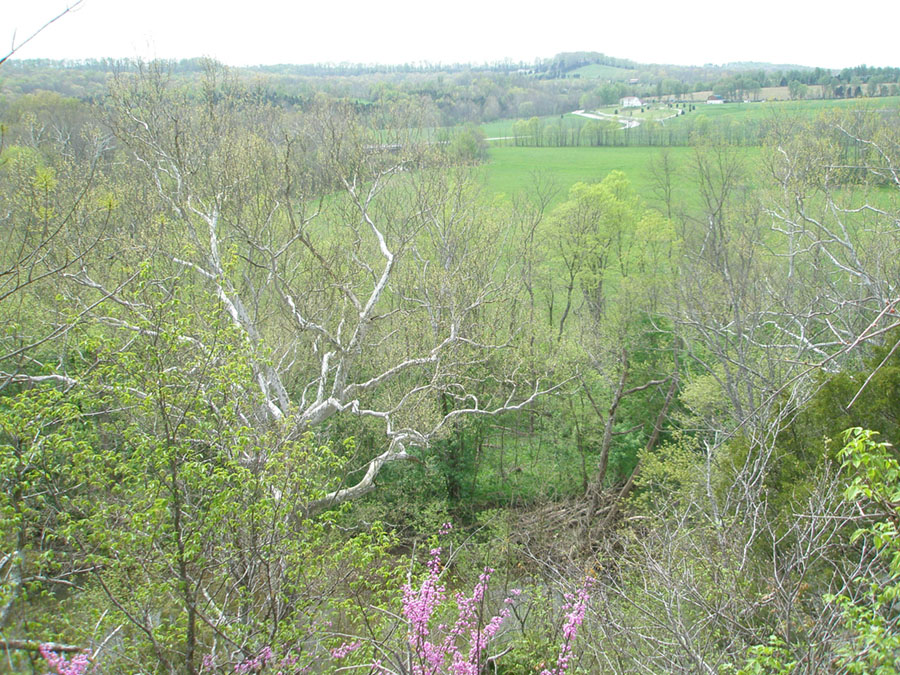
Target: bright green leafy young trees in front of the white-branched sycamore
x=179, y=514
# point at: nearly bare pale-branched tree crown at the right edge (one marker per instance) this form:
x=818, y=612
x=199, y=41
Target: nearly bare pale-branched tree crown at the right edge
x=834, y=206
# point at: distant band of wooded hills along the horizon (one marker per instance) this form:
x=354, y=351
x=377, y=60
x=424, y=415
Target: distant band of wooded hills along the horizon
x=460, y=94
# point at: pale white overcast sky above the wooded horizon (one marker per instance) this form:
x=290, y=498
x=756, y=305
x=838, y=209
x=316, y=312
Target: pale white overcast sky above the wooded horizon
x=690, y=32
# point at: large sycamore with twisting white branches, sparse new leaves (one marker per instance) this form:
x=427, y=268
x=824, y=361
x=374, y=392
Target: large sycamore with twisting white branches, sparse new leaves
x=367, y=275
